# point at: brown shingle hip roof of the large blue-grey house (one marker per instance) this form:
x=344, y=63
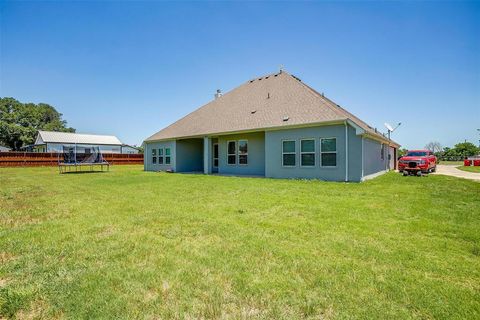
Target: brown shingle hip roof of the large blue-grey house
x=259, y=104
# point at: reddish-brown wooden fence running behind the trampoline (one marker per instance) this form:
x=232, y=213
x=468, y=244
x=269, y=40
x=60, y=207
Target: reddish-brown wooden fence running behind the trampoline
x=34, y=159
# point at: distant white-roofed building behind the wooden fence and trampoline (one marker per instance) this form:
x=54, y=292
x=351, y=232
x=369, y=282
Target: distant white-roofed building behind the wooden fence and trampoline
x=53, y=141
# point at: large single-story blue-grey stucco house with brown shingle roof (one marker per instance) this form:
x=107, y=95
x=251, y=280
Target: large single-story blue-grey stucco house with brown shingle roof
x=274, y=126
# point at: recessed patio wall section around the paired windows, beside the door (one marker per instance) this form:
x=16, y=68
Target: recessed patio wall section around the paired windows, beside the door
x=256, y=154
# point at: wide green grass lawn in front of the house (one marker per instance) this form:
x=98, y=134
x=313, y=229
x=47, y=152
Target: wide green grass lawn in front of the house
x=134, y=244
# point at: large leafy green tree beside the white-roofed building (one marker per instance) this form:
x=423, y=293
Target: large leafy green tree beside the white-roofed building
x=19, y=122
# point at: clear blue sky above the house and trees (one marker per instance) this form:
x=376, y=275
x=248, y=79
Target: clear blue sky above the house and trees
x=131, y=68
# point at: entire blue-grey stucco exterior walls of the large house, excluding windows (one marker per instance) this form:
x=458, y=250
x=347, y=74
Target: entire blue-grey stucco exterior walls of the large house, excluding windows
x=265, y=154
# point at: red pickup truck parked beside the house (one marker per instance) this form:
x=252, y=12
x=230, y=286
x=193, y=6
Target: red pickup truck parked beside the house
x=417, y=162
